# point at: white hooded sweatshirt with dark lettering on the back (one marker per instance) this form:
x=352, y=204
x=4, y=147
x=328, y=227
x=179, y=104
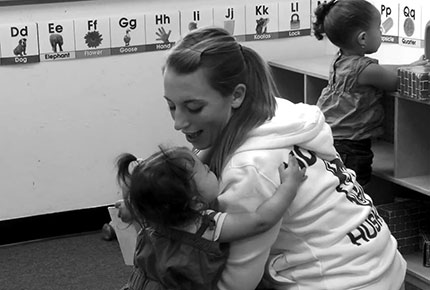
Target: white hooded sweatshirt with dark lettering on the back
x=331, y=237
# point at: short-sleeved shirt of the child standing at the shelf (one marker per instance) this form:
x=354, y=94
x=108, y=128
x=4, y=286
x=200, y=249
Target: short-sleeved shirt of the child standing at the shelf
x=353, y=111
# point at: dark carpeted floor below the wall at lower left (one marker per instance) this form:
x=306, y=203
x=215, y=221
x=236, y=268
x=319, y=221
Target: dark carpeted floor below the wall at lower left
x=77, y=262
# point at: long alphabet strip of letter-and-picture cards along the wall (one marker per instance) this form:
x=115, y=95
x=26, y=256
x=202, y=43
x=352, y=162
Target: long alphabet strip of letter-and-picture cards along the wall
x=402, y=22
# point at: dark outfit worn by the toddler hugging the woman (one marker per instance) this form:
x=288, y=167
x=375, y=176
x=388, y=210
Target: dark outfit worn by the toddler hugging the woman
x=174, y=259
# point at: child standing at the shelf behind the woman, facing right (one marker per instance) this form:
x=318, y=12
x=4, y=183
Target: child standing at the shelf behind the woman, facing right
x=351, y=102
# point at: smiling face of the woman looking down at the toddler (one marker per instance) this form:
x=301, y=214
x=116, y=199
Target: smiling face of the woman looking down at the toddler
x=199, y=111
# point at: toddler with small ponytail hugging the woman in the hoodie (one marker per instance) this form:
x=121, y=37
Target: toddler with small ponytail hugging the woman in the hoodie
x=180, y=244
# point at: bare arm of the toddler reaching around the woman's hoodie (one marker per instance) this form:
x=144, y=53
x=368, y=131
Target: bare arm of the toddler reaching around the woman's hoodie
x=241, y=225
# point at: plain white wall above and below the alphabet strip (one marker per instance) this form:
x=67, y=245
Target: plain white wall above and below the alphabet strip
x=63, y=123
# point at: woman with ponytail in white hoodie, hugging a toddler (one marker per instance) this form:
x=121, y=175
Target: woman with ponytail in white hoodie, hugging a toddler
x=222, y=97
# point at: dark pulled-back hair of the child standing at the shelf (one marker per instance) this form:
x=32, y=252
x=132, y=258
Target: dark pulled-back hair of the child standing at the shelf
x=340, y=20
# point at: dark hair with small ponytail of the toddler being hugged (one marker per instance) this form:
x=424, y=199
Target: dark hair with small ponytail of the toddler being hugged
x=160, y=188
